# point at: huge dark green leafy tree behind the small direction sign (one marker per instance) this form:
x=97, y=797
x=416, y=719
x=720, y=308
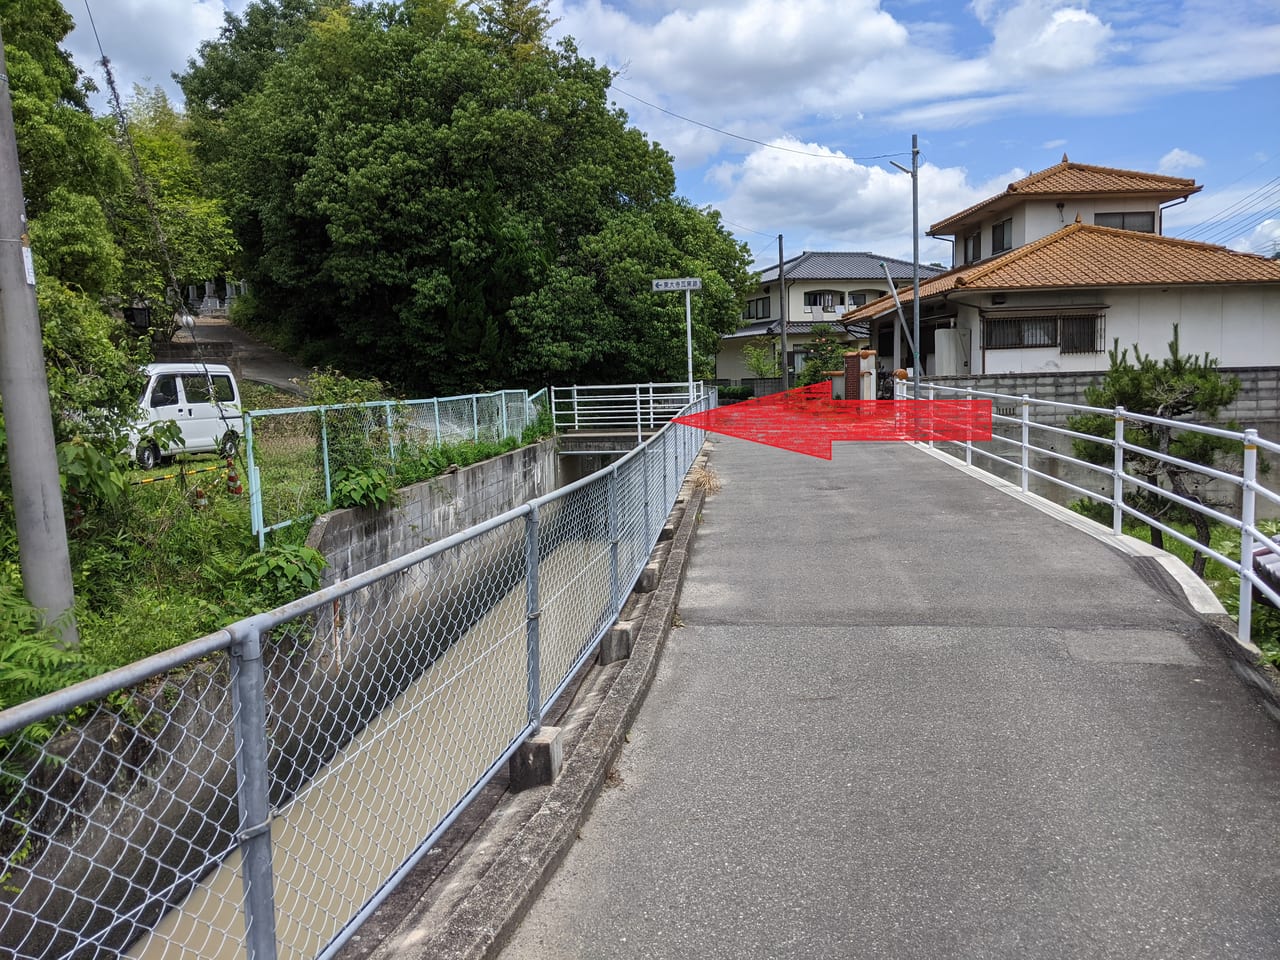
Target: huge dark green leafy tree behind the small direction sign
x=441, y=198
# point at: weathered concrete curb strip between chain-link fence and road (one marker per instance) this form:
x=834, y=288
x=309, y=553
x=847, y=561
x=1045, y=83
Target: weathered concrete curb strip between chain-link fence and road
x=468, y=895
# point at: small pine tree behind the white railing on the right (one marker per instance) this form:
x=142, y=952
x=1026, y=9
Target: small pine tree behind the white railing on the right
x=1180, y=388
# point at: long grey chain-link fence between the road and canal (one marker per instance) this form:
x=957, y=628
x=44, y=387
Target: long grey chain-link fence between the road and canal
x=262, y=790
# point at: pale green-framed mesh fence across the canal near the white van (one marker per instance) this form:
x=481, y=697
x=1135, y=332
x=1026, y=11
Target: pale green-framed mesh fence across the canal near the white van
x=296, y=456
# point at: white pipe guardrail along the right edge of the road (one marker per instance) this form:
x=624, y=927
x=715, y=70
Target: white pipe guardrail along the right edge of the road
x=1027, y=431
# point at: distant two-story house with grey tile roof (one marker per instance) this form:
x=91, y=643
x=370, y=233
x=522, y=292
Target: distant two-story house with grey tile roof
x=820, y=289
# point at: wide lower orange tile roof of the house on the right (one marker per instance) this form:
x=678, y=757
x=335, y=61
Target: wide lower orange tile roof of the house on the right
x=1084, y=255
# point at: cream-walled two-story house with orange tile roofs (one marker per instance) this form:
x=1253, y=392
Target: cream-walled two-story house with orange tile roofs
x=1050, y=273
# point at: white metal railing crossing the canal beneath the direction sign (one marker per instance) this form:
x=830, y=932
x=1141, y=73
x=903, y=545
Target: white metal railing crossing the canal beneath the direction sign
x=623, y=409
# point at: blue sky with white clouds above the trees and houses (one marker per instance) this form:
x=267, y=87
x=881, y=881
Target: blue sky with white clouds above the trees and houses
x=785, y=115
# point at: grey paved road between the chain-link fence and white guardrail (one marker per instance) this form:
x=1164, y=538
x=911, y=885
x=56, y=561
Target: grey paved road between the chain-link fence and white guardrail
x=909, y=716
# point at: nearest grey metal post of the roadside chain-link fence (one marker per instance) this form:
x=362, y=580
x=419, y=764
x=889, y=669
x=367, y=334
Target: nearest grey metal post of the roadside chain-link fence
x=249, y=700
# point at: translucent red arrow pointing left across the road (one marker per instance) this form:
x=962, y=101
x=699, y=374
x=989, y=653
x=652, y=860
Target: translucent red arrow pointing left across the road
x=808, y=420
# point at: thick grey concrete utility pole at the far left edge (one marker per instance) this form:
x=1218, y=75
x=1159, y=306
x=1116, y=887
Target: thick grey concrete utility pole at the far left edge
x=38, y=499
